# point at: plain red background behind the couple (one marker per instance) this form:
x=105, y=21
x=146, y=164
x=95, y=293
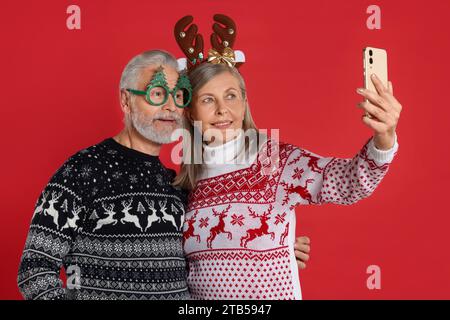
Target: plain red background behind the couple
x=60, y=94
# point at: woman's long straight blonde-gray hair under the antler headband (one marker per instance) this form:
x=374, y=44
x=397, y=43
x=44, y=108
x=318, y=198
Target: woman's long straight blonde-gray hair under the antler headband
x=187, y=178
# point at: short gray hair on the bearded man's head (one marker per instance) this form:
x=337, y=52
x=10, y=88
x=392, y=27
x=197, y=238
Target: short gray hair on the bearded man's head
x=132, y=71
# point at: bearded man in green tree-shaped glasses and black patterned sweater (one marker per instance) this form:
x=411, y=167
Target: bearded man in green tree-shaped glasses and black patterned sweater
x=110, y=215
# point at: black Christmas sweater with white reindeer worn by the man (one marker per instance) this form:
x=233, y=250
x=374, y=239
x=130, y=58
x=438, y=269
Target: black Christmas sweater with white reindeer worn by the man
x=110, y=217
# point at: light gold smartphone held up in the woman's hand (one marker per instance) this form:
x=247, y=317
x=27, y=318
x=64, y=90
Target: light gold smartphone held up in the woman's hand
x=374, y=61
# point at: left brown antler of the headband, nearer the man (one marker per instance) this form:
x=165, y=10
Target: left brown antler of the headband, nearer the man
x=189, y=41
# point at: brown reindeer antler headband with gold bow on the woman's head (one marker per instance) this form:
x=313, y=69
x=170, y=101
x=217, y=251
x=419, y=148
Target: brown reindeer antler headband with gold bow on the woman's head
x=222, y=41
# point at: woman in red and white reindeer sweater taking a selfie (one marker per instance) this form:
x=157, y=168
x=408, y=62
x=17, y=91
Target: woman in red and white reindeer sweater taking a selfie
x=240, y=222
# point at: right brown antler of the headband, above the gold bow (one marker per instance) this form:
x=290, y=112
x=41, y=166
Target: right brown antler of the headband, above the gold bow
x=226, y=34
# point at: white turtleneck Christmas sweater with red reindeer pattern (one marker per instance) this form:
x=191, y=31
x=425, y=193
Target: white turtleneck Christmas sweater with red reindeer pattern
x=239, y=231
